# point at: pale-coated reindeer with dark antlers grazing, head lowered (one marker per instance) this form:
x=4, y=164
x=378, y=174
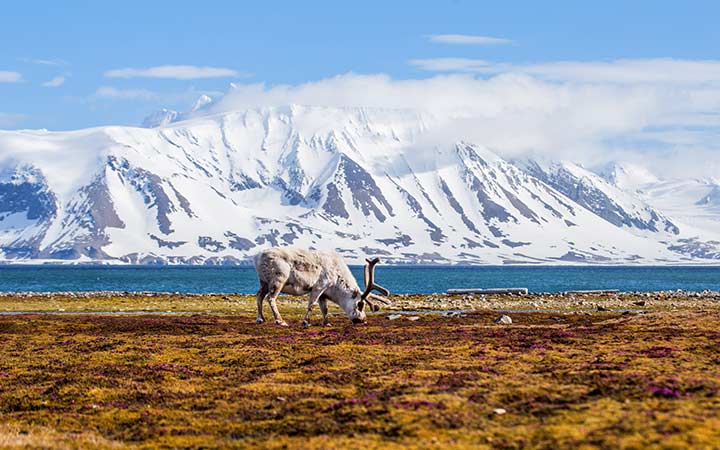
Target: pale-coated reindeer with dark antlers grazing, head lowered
x=322, y=274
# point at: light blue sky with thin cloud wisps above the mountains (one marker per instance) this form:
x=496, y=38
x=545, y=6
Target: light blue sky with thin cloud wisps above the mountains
x=58, y=58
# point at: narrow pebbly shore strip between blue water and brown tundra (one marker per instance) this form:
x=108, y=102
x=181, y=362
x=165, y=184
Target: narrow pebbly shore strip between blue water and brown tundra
x=244, y=304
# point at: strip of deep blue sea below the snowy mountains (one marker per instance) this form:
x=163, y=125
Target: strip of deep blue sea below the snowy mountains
x=398, y=279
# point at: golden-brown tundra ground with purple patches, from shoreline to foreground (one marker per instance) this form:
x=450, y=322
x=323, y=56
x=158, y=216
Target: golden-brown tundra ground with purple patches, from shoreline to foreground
x=571, y=372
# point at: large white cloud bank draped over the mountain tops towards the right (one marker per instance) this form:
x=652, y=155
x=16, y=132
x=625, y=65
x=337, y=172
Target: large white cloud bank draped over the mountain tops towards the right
x=518, y=113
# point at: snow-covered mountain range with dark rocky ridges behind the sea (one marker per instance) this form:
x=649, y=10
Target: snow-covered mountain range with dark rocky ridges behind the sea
x=217, y=188
